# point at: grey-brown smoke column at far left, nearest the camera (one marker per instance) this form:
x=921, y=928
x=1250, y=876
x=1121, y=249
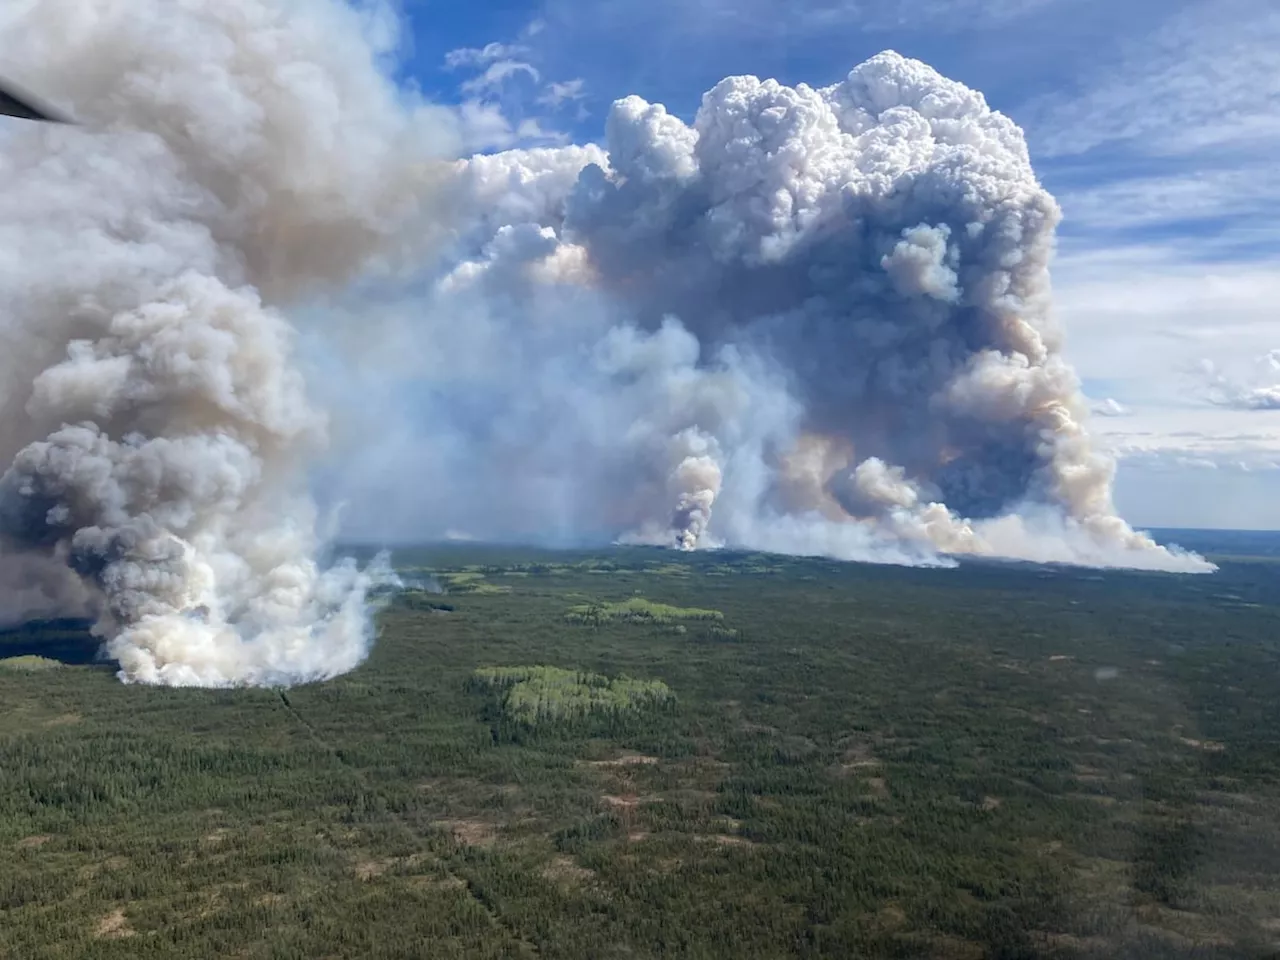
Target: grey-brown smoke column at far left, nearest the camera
x=156, y=431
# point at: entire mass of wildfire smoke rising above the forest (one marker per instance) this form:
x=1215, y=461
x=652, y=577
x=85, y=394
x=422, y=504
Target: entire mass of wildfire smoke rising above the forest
x=813, y=322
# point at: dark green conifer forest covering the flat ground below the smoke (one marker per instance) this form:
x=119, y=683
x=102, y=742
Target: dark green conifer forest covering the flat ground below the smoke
x=632, y=753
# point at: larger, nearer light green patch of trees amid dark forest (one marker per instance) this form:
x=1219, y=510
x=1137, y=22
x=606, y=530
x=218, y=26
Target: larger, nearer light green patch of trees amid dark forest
x=541, y=694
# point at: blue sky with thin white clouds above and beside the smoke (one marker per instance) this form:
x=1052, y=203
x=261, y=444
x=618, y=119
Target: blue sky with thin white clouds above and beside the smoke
x=1155, y=124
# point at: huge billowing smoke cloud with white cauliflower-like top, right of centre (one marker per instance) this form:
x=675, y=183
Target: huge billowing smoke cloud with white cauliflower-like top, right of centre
x=815, y=322
